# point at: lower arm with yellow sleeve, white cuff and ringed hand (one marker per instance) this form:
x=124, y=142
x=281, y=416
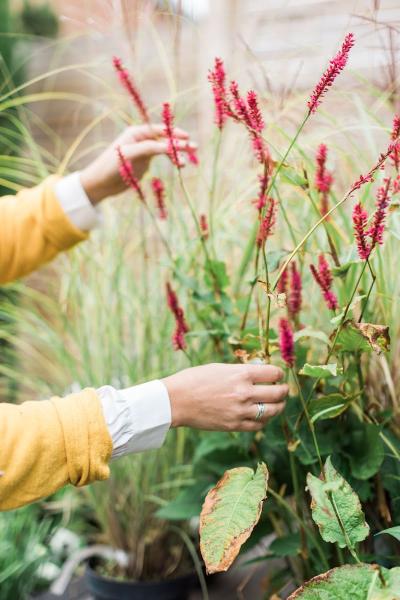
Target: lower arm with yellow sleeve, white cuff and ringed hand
x=48, y=444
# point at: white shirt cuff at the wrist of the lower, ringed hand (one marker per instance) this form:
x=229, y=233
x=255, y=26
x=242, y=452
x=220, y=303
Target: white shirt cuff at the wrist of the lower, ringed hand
x=137, y=418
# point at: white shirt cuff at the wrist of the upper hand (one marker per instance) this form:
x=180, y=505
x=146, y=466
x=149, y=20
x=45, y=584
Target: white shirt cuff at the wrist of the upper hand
x=75, y=202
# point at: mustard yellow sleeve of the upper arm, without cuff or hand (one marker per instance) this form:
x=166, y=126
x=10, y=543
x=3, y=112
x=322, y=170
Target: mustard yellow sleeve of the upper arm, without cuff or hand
x=33, y=229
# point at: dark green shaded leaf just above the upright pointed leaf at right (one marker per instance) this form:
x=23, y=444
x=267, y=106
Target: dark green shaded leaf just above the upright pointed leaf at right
x=367, y=451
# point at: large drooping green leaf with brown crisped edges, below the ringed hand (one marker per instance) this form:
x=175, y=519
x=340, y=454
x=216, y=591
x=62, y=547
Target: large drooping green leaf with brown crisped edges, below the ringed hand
x=230, y=511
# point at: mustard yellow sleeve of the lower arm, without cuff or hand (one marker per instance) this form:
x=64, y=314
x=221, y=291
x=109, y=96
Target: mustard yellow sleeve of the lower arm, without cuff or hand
x=47, y=444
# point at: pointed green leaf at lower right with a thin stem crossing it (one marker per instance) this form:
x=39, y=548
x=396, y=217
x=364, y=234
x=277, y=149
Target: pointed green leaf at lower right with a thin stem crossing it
x=336, y=507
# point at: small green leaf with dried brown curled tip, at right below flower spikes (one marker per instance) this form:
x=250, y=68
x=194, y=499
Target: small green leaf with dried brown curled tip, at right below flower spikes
x=363, y=337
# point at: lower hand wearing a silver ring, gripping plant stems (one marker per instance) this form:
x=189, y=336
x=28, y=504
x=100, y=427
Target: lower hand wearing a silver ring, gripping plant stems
x=223, y=397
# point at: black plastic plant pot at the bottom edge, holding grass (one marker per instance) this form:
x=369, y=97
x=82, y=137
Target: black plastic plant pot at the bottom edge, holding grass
x=104, y=588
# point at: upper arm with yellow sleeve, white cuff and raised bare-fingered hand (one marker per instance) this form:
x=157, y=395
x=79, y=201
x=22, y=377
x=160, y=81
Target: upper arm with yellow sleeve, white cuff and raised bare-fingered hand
x=36, y=224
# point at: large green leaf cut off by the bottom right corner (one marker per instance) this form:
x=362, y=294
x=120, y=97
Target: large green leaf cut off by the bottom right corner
x=358, y=582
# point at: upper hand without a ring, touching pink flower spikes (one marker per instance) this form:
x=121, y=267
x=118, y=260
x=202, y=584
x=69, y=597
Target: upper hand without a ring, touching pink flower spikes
x=139, y=144
